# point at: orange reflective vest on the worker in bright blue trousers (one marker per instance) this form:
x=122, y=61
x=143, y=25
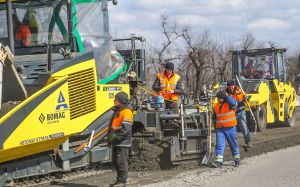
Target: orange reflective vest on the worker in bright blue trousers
x=225, y=117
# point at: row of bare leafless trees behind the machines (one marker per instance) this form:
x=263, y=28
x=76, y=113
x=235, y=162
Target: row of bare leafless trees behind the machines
x=204, y=60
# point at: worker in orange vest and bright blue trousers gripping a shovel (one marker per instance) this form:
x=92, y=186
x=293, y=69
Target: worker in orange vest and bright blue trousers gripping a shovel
x=225, y=125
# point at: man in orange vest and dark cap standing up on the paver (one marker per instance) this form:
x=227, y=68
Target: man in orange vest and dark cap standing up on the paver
x=168, y=85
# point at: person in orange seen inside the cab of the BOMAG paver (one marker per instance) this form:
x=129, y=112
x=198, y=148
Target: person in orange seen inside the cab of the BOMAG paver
x=22, y=33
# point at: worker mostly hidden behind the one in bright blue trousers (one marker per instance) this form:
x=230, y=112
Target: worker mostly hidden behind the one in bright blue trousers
x=234, y=91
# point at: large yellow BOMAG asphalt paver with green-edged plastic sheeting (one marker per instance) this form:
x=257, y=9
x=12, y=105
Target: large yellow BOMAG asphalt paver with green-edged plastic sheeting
x=59, y=77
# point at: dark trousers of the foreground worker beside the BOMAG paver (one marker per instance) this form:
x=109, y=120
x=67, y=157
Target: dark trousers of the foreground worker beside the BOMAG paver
x=120, y=159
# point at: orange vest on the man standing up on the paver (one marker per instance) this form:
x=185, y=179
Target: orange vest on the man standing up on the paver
x=170, y=85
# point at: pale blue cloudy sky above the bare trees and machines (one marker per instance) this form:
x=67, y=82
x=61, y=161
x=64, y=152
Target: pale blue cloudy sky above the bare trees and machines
x=268, y=20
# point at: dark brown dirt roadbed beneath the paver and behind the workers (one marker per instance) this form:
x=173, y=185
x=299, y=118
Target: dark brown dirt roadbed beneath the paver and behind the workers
x=156, y=170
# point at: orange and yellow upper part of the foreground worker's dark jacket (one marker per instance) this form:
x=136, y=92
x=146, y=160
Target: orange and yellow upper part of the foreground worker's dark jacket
x=124, y=115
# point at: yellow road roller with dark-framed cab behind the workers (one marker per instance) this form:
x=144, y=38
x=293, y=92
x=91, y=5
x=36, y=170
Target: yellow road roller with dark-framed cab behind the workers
x=262, y=74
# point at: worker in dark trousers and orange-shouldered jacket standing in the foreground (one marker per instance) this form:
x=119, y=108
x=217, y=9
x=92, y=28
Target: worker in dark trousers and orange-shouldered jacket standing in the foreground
x=119, y=136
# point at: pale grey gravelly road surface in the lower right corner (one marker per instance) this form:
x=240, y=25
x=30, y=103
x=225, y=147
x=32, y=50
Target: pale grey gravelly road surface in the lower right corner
x=280, y=168
